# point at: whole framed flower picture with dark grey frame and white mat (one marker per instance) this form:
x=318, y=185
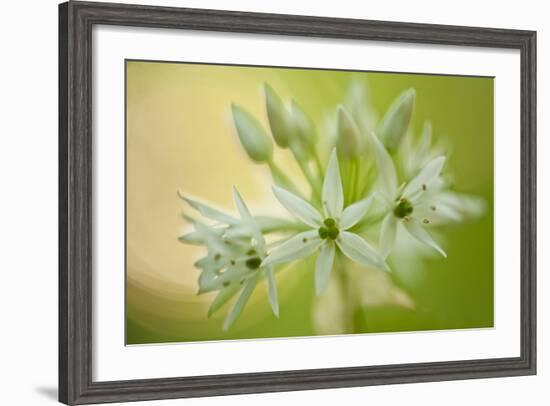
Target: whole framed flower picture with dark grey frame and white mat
x=259, y=202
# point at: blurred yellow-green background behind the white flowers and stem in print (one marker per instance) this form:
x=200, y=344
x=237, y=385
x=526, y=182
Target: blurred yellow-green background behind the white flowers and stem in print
x=180, y=137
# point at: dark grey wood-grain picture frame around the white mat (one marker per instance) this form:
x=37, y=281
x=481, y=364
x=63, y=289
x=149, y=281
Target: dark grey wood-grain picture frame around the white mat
x=76, y=20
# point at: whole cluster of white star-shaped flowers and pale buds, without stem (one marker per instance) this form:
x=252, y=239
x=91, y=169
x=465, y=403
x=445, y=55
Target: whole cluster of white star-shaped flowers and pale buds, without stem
x=378, y=181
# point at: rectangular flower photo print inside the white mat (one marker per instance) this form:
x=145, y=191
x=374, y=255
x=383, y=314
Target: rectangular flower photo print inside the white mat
x=270, y=202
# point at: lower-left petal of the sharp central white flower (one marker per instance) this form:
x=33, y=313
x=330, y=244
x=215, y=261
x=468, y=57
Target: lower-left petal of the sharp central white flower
x=299, y=246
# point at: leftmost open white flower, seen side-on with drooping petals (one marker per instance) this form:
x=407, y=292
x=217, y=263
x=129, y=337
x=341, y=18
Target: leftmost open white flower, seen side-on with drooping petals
x=234, y=260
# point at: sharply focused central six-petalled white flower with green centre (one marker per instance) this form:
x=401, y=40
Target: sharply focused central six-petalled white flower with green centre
x=330, y=229
